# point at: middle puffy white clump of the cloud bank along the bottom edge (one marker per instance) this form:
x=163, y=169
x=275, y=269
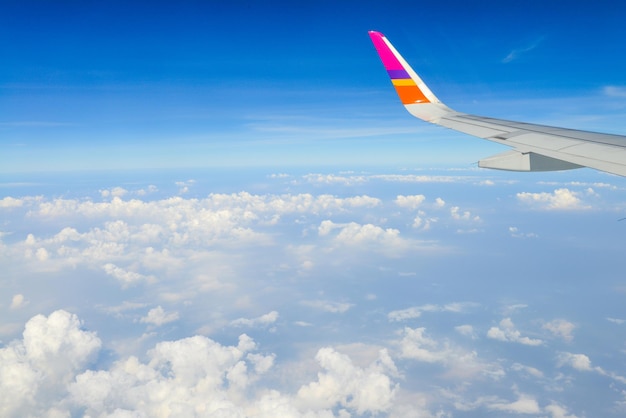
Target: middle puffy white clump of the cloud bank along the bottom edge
x=192, y=375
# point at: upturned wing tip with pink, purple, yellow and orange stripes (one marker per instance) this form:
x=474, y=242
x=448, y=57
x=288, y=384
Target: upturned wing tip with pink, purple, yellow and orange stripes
x=409, y=86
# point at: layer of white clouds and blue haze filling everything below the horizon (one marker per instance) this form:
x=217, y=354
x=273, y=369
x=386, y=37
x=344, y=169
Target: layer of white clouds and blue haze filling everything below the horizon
x=322, y=295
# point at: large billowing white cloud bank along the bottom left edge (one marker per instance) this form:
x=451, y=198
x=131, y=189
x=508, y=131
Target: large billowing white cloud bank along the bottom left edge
x=47, y=373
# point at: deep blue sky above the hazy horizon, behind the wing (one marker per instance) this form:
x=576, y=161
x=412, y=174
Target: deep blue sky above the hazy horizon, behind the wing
x=155, y=84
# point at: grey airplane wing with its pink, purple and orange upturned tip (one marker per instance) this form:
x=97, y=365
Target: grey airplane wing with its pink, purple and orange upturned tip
x=535, y=147
